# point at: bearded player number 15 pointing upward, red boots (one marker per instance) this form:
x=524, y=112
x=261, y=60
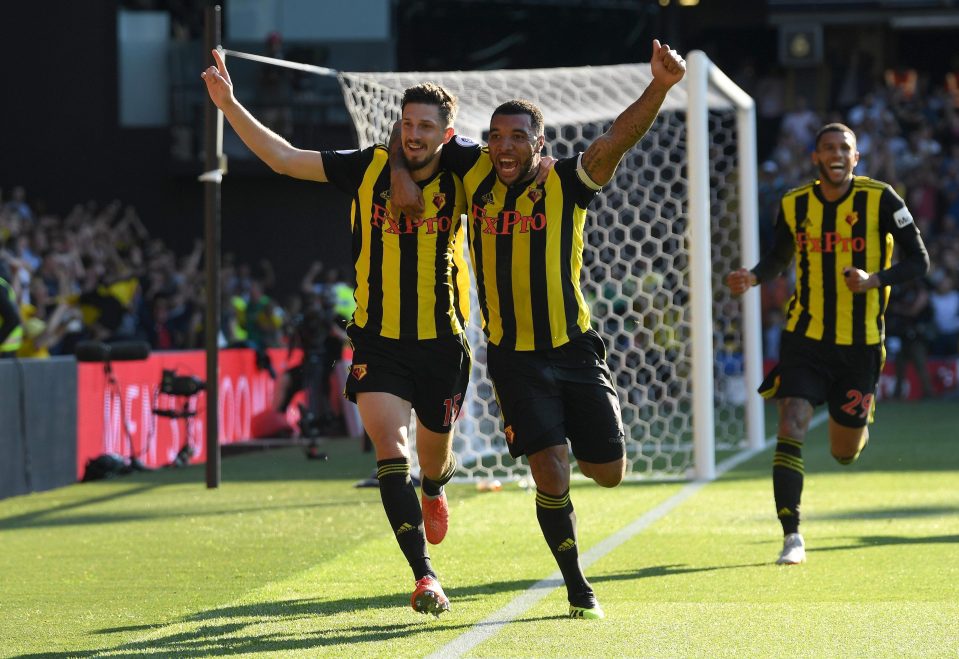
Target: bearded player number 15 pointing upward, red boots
x=409, y=350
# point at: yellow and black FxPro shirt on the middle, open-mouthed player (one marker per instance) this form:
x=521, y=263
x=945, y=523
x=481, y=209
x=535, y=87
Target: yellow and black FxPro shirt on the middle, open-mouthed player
x=526, y=245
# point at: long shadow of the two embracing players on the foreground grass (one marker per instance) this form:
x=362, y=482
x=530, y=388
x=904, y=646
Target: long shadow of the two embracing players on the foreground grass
x=234, y=629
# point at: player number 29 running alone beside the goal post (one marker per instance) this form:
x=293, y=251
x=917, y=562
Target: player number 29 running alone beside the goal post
x=840, y=231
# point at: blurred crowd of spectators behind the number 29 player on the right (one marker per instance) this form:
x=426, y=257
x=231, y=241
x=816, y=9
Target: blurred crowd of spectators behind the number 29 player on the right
x=907, y=127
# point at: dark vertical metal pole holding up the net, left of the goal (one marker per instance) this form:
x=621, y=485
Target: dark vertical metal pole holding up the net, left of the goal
x=211, y=191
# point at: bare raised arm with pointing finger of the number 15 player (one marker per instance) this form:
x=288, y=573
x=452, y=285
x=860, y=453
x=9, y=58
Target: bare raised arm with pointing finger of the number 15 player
x=280, y=155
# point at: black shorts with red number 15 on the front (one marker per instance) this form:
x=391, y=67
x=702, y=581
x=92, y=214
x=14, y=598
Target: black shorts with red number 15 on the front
x=430, y=374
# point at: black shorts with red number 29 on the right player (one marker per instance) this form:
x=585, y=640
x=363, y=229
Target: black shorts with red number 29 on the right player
x=845, y=377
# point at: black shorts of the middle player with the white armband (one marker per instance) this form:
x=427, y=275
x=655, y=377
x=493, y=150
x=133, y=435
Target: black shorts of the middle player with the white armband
x=547, y=396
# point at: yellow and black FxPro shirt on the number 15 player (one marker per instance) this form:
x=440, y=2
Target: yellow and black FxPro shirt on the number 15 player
x=411, y=279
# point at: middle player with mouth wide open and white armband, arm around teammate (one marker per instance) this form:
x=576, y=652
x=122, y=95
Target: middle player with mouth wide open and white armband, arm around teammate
x=526, y=245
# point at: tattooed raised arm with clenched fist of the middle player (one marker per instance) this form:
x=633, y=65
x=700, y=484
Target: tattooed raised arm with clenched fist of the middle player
x=603, y=155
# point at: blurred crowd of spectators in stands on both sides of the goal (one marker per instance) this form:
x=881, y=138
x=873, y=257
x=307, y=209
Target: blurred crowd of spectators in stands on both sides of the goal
x=97, y=273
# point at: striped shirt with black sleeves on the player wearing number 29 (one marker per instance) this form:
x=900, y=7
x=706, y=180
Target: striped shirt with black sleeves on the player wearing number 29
x=860, y=230
